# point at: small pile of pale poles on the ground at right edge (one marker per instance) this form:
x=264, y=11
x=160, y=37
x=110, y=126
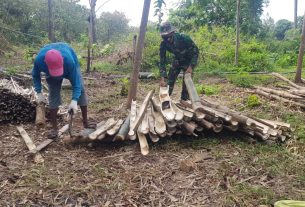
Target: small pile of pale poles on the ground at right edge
x=293, y=96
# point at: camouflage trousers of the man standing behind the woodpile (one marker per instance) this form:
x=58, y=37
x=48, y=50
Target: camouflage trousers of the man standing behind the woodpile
x=172, y=77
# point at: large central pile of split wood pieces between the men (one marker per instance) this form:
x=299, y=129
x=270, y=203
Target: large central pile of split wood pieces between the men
x=162, y=117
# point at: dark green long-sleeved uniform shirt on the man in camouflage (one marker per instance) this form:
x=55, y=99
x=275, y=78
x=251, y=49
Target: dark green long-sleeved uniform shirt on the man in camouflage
x=184, y=50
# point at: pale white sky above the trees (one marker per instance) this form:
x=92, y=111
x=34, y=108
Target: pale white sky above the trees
x=277, y=9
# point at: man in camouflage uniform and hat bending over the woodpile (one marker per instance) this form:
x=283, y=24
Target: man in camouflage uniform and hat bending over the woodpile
x=185, y=57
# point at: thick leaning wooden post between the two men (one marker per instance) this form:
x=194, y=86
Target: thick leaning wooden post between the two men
x=134, y=78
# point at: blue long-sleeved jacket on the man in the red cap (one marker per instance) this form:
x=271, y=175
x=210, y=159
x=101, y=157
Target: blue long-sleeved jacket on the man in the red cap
x=71, y=68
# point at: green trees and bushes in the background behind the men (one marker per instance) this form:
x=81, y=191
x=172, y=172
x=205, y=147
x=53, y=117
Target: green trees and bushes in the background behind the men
x=265, y=45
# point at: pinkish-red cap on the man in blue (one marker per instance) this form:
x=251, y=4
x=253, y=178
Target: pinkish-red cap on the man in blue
x=55, y=63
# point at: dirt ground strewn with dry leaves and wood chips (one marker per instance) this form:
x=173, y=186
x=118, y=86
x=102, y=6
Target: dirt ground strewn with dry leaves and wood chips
x=230, y=171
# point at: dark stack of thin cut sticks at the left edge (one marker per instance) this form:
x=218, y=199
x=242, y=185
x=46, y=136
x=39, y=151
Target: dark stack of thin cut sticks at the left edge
x=16, y=105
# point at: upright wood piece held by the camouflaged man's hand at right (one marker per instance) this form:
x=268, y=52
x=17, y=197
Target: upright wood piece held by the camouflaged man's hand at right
x=196, y=104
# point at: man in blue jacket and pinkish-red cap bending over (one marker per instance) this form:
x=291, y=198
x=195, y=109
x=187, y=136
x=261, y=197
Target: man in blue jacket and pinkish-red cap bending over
x=58, y=61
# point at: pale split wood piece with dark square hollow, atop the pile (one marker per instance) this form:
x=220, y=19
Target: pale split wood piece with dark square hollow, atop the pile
x=166, y=104
